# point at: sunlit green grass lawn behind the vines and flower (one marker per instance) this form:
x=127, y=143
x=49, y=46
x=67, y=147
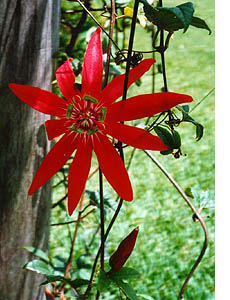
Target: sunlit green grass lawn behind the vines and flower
x=169, y=241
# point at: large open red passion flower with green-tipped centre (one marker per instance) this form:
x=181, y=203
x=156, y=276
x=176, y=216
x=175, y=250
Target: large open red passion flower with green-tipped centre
x=88, y=116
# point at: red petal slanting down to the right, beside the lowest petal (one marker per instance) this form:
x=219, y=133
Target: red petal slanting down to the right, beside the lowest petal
x=112, y=166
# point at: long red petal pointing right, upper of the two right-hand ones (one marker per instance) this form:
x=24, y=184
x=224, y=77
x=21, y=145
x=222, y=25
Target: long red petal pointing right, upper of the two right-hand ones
x=145, y=105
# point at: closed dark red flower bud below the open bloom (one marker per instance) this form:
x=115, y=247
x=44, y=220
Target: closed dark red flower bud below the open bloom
x=124, y=250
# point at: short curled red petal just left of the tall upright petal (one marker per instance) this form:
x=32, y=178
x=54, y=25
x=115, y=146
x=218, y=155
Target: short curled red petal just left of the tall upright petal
x=66, y=79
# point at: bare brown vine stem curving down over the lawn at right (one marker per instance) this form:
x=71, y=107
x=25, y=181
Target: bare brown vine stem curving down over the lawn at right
x=196, y=213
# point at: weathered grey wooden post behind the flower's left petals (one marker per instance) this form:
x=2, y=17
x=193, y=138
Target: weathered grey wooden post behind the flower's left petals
x=29, y=33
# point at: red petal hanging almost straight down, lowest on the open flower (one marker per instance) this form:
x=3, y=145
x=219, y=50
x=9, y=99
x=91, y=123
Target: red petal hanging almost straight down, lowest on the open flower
x=78, y=172
